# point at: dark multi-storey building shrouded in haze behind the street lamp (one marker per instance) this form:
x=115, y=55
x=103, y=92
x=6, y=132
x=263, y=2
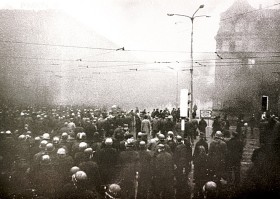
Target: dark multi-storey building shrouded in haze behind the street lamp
x=248, y=60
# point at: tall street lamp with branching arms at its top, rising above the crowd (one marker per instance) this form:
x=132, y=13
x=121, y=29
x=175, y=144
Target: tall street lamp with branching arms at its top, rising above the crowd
x=191, y=69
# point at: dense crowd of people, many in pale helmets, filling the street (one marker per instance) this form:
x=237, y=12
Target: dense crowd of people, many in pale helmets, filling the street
x=67, y=152
